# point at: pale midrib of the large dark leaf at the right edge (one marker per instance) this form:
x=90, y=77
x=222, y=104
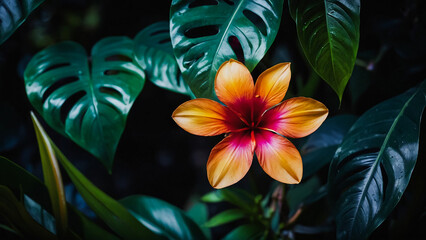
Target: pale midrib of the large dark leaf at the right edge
x=378, y=158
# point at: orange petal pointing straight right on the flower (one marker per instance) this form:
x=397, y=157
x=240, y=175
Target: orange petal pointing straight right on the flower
x=296, y=117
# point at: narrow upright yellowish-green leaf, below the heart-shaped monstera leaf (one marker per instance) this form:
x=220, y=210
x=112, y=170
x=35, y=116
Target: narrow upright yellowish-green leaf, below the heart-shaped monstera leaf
x=52, y=178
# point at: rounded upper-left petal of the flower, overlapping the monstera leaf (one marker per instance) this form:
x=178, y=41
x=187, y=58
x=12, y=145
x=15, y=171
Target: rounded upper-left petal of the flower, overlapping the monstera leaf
x=234, y=84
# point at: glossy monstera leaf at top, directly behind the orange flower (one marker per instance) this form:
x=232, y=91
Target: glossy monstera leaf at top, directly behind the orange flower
x=207, y=33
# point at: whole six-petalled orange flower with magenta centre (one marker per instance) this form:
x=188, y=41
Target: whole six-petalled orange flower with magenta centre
x=255, y=121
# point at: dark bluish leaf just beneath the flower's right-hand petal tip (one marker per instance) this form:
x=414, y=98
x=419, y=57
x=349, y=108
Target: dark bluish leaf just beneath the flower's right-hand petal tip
x=319, y=149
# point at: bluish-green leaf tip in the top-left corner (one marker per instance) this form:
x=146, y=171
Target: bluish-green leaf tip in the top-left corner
x=13, y=13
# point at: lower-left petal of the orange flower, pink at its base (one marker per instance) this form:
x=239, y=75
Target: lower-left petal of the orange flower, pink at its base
x=230, y=160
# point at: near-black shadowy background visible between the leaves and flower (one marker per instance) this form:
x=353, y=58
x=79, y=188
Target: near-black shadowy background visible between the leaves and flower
x=157, y=158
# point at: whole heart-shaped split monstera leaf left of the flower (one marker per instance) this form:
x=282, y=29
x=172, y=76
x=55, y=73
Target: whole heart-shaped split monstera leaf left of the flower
x=86, y=98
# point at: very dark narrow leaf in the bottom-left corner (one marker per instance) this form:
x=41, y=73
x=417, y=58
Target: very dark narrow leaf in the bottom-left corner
x=16, y=214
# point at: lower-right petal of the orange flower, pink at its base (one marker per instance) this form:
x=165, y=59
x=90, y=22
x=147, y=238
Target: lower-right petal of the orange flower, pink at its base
x=278, y=157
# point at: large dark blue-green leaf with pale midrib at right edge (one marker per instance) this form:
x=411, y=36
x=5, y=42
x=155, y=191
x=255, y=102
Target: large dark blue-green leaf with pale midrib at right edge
x=373, y=165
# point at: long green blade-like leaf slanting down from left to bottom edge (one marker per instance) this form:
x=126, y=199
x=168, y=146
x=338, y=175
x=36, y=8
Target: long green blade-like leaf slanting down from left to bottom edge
x=105, y=207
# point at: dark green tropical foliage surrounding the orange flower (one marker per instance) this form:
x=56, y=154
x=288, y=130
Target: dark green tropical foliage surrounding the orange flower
x=359, y=167
